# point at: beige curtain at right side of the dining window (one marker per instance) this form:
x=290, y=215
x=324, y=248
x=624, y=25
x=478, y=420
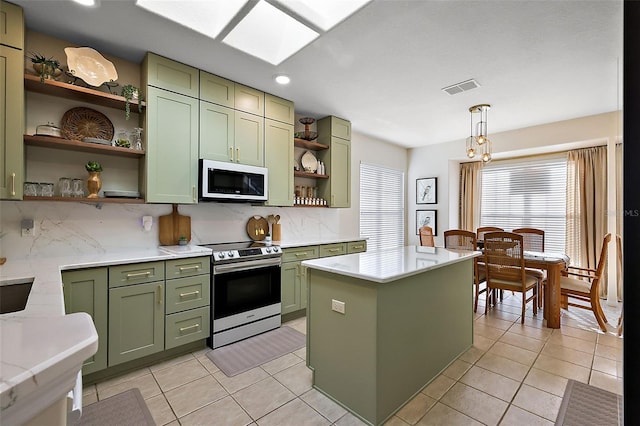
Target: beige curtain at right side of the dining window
x=587, y=207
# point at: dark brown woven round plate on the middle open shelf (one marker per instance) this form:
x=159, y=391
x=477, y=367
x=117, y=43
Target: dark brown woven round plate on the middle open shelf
x=79, y=123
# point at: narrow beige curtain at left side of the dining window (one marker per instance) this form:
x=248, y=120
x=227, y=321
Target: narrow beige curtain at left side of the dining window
x=470, y=195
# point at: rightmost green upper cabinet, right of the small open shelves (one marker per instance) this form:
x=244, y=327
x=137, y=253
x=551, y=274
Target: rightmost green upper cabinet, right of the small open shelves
x=336, y=133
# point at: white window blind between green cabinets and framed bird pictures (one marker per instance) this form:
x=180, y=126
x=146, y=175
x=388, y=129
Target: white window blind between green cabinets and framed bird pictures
x=381, y=206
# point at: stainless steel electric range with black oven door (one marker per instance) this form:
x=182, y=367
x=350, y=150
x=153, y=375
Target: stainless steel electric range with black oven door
x=245, y=290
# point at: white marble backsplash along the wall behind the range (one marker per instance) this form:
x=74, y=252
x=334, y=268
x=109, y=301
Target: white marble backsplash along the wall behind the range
x=64, y=228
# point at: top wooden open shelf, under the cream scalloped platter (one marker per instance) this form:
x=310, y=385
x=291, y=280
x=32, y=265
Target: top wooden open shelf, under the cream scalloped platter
x=32, y=83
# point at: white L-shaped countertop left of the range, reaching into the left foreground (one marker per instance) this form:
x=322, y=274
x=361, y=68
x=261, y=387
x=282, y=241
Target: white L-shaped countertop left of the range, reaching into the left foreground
x=41, y=346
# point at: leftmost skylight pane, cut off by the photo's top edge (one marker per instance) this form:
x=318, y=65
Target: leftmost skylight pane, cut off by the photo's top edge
x=206, y=17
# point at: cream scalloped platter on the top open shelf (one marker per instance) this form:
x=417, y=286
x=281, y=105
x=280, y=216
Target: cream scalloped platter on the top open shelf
x=90, y=66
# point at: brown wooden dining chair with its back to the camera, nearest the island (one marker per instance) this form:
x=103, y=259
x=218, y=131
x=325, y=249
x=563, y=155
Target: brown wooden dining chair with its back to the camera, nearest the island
x=504, y=262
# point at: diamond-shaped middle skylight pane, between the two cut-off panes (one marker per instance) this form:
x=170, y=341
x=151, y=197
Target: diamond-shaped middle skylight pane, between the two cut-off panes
x=269, y=34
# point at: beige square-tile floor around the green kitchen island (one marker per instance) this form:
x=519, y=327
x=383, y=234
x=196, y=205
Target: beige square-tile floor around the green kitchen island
x=513, y=375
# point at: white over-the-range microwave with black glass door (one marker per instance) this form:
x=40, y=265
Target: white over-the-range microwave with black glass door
x=221, y=181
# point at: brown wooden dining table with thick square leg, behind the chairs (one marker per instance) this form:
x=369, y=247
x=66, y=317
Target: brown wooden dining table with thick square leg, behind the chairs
x=553, y=263
